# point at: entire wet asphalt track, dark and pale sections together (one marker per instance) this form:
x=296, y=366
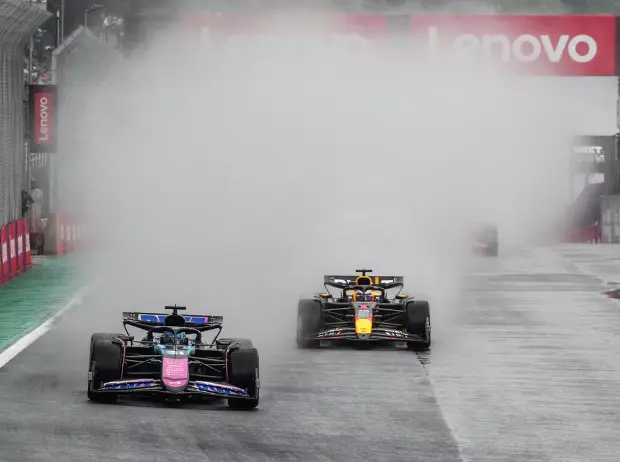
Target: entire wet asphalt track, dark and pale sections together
x=528, y=370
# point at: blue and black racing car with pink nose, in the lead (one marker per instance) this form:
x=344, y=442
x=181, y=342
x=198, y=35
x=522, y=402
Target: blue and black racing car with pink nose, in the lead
x=173, y=361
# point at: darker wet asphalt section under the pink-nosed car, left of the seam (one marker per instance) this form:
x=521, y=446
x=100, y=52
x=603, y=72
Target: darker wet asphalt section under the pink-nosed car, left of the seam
x=315, y=406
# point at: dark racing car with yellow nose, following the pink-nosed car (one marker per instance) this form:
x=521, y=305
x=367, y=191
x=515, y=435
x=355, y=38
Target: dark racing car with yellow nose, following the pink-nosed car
x=363, y=311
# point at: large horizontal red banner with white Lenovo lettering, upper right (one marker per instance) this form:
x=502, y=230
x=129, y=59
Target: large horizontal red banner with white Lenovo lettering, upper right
x=552, y=45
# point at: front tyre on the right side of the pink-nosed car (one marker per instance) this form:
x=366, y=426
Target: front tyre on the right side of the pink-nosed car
x=243, y=372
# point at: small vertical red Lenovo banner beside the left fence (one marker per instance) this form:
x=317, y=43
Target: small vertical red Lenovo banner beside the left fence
x=43, y=118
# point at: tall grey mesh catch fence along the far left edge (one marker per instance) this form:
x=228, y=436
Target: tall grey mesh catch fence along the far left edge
x=18, y=21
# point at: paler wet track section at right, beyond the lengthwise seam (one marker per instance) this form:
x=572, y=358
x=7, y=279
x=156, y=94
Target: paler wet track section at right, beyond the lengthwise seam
x=531, y=371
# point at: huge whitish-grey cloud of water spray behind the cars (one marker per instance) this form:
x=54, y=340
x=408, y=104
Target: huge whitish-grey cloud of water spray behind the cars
x=231, y=179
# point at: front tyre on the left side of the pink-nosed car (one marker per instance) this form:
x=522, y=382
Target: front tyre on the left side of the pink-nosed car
x=105, y=365
